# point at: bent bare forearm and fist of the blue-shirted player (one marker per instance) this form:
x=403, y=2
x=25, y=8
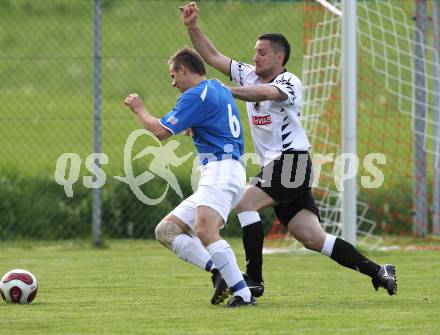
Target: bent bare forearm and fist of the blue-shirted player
x=134, y=102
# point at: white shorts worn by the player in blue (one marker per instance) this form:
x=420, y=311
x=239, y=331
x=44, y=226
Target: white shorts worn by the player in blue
x=220, y=187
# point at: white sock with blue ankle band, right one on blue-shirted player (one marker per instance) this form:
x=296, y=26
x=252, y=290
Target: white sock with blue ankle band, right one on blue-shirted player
x=224, y=260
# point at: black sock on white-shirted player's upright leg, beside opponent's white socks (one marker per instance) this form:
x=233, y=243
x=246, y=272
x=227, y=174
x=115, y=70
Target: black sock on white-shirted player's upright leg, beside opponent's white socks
x=253, y=237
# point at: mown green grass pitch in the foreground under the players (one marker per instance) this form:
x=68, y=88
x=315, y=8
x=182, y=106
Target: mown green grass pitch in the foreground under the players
x=139, y=287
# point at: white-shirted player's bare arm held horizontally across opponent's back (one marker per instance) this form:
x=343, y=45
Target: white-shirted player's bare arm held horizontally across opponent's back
x=258, y=93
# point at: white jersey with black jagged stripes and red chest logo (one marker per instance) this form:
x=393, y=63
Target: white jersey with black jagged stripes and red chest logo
x=275, y=125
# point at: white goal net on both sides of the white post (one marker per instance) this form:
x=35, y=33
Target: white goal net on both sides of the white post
x=398, y=116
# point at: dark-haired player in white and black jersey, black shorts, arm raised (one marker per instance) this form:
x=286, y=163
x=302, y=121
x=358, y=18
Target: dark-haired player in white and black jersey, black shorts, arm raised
x=273, y=100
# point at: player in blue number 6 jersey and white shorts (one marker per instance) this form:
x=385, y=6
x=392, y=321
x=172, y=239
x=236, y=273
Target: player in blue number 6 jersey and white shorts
x=208, y=109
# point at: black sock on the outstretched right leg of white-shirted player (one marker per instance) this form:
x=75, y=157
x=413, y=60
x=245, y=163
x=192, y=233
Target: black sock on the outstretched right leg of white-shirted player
x=347, y=255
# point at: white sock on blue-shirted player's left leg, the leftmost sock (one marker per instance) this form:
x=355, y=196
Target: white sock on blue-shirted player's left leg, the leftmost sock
x=192, y=251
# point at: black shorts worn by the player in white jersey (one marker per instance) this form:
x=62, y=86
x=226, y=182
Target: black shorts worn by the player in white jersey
x=289, y=187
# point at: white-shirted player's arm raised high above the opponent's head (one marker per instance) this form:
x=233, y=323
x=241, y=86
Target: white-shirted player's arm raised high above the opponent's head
x=201, y=42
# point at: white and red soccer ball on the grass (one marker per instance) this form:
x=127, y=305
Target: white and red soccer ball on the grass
x=18, y=286
